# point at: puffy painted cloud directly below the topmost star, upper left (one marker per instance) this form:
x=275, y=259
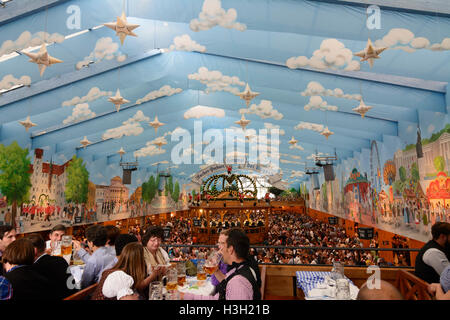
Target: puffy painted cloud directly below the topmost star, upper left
x=105, y=48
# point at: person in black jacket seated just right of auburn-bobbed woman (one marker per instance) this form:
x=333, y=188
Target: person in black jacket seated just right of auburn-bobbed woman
x=54, y=268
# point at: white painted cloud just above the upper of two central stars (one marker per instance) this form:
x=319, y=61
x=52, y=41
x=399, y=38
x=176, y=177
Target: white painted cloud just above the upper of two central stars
x=216, y=81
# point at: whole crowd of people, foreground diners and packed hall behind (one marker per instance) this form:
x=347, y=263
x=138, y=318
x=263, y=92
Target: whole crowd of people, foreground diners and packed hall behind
x=124, y=265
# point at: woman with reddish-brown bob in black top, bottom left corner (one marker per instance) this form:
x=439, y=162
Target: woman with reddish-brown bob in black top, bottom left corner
x=27, y=284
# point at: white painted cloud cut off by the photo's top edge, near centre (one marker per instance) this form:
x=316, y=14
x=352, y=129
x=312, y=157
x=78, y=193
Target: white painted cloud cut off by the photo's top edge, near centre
x=213, y=14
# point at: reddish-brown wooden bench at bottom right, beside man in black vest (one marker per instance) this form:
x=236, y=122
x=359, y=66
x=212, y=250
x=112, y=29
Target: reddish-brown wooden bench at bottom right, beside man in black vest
x=411, y=286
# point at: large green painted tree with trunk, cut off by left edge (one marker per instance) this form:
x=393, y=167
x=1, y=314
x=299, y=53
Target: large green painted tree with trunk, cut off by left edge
x=15, y=175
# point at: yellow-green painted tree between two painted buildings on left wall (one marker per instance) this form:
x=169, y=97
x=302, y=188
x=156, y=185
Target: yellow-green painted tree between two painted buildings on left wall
x=77, y=186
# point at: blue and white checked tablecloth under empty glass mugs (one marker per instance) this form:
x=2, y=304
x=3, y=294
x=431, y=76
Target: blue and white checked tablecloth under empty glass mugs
x=314, y=285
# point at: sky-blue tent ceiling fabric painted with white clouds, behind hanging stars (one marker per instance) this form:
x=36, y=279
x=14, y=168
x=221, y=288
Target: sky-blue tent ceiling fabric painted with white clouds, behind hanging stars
x=297, y=54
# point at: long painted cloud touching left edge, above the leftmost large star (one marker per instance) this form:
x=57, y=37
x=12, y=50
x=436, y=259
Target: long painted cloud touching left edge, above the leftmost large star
x=26, y=40
